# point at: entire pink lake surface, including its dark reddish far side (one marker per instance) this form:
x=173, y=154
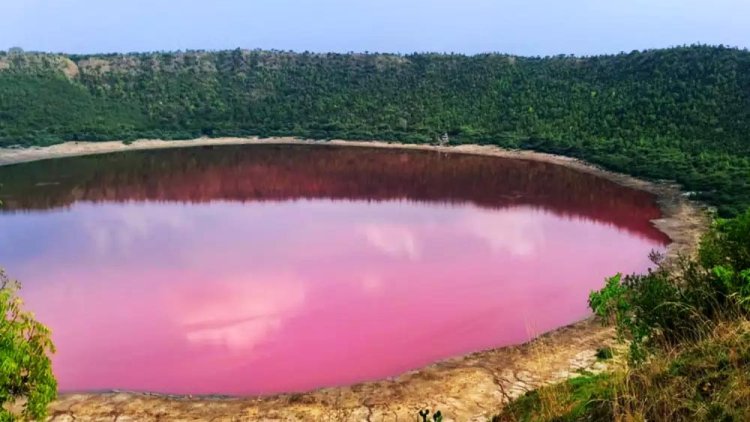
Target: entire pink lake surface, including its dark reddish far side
x=265, y=269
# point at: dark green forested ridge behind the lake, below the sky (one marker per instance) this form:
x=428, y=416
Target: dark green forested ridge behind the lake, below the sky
x=681, y=113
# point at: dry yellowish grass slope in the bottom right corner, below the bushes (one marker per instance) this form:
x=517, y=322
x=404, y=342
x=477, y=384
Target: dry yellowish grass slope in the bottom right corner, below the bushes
x=701, y=380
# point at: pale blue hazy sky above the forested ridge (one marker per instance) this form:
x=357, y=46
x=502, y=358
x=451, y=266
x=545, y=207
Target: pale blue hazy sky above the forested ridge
x=529, y=27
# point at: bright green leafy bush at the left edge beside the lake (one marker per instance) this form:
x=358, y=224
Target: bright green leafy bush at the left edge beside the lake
x=25, y=367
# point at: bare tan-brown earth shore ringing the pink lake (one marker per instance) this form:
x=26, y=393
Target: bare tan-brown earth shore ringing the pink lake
x=468, y=388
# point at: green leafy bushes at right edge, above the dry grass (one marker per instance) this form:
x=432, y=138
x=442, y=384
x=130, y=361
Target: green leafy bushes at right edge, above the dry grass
x=669, y=305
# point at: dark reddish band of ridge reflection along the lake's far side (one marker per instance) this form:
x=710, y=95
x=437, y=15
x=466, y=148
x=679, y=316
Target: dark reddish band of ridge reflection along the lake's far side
x=262, y=173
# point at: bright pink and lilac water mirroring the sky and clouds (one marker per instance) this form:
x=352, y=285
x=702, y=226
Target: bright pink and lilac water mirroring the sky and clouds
x=230, y=297
